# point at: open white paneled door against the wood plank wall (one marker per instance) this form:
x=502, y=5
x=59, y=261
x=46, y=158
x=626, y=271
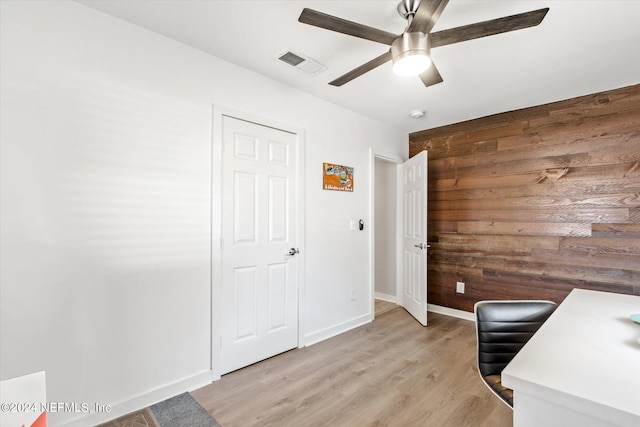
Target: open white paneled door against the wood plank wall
x=414, y=236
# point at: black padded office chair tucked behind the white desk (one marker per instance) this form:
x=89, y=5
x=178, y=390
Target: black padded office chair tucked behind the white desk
x=503, y=328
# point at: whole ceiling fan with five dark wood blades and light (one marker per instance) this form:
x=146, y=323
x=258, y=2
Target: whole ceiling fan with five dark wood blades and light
x=410, y=51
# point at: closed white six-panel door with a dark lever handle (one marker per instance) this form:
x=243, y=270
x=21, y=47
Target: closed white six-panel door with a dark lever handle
x=259, y=274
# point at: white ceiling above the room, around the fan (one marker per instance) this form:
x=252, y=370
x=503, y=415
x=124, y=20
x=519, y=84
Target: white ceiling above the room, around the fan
x=581, y=47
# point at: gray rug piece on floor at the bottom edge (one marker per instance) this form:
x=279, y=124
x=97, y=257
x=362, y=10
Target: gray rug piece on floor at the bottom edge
x=182, y=411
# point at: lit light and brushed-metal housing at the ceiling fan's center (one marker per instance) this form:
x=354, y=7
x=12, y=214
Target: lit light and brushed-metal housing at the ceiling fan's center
x=410, y=54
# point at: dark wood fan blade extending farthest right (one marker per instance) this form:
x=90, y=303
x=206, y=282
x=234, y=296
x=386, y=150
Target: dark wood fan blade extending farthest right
x=488, y=28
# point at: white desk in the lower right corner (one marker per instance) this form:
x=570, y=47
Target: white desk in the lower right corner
x=582, y=367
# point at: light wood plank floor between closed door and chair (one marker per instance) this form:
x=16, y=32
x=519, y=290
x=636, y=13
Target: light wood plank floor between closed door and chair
x=391, y=372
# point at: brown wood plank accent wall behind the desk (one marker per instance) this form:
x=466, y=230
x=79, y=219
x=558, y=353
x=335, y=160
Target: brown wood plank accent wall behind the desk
x=535, y=202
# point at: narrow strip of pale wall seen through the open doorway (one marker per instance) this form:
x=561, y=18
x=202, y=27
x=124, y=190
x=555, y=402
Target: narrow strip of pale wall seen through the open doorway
x=386, y=229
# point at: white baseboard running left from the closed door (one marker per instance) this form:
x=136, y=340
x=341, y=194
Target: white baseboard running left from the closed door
x=143, y=400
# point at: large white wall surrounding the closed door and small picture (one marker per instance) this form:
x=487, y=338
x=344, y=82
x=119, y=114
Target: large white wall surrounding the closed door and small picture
x=106, y=144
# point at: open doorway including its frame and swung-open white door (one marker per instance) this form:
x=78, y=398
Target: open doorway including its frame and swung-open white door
x=399, y=246
